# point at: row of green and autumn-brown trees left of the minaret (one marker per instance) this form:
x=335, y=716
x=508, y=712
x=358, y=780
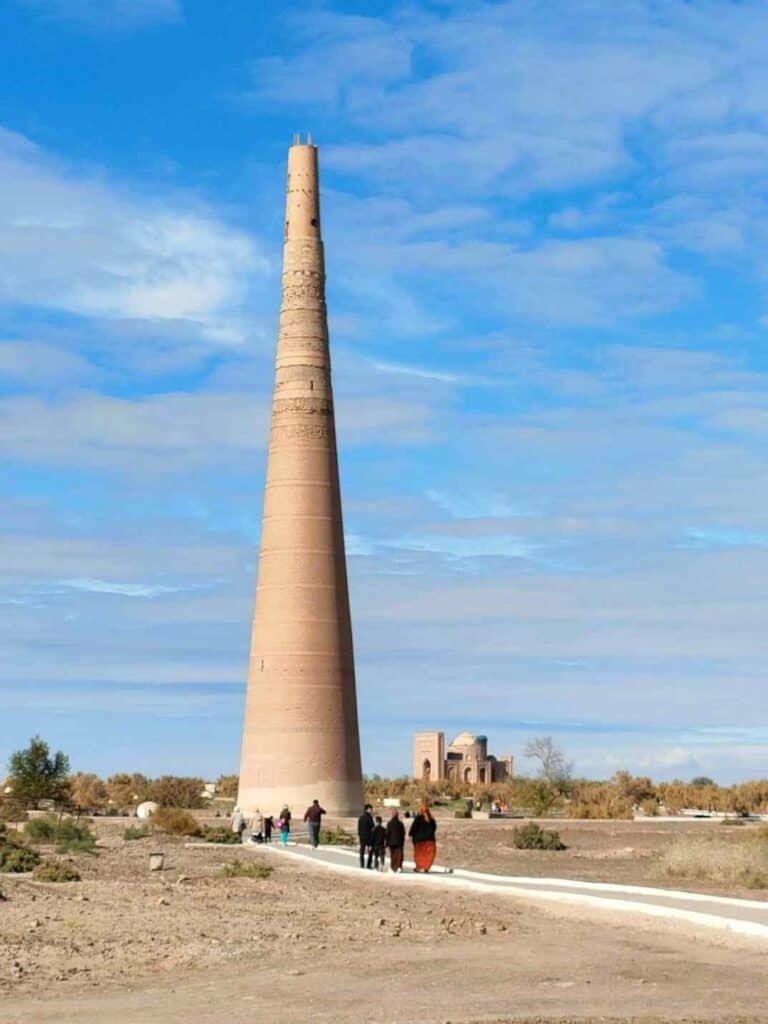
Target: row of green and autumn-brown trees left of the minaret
x=35, y=776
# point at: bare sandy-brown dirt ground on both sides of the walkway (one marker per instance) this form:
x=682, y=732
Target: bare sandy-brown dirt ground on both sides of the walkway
x=125, y=946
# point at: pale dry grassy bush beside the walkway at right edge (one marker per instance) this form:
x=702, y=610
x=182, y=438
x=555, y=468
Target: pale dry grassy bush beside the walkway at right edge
x=714, y=860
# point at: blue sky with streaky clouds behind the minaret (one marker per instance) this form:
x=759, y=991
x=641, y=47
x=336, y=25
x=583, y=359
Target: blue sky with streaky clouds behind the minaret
x=546, y=234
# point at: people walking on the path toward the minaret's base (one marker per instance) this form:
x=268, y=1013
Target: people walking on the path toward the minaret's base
x=375, y=838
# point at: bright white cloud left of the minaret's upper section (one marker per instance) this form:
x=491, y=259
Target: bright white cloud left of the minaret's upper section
x=72, y=241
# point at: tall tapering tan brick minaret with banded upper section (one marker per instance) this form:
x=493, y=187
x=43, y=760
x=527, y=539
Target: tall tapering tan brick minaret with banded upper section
x=301, y=737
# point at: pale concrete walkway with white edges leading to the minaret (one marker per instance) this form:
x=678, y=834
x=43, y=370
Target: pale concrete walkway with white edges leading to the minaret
x=741, y=917
